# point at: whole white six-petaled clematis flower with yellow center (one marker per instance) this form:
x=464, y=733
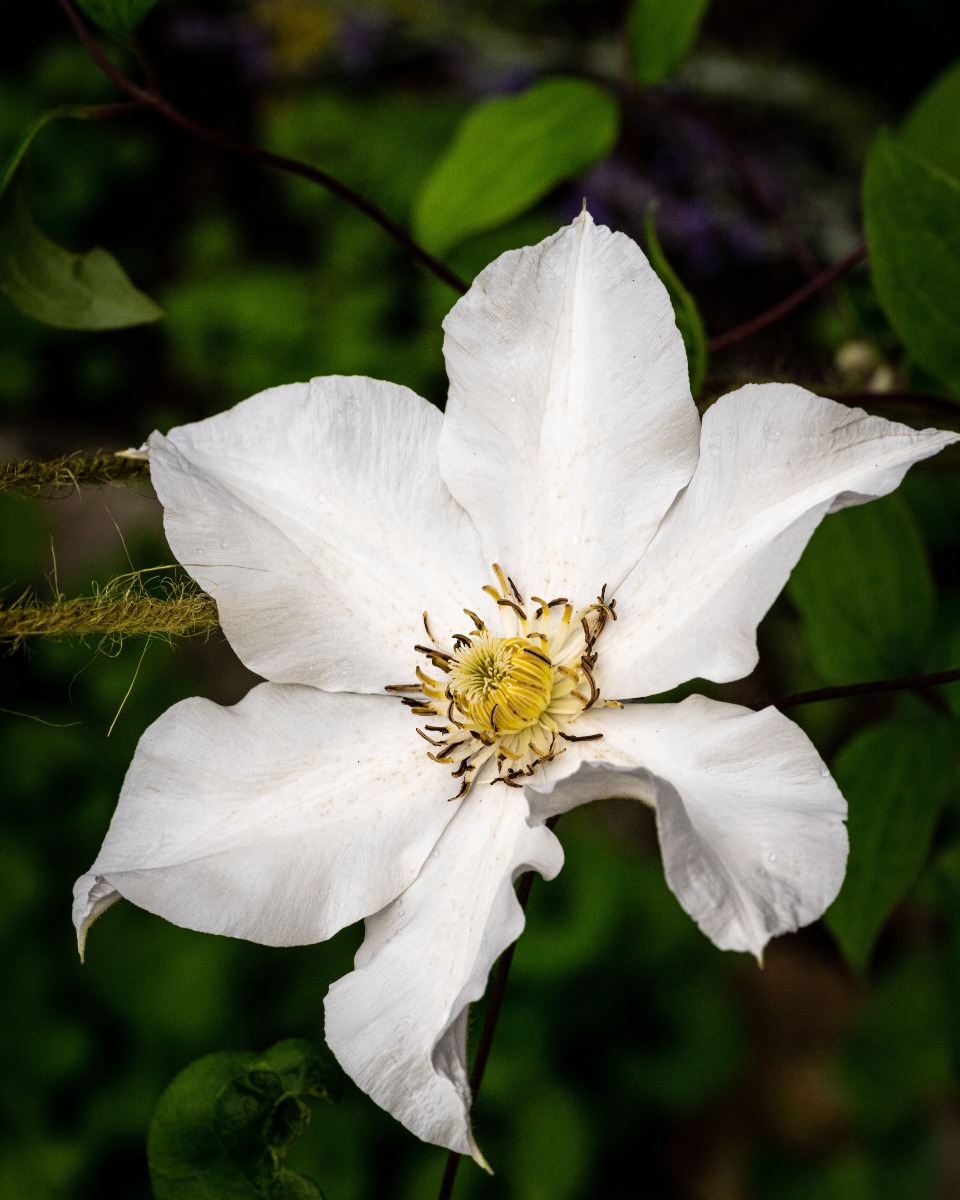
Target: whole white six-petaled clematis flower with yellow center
x=448, y=611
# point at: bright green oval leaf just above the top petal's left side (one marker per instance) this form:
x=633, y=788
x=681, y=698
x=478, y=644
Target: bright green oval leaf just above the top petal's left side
x=508, y=153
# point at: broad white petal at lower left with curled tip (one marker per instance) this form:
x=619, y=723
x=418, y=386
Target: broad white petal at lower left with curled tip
x=280, y=820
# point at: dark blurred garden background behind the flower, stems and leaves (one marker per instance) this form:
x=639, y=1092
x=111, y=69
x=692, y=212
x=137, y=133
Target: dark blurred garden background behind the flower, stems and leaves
x=633, y=1058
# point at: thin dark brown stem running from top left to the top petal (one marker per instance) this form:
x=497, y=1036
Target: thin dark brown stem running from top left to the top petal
x=229, y=145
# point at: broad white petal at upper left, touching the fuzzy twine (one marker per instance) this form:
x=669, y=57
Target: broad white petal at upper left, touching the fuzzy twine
x=316, y=518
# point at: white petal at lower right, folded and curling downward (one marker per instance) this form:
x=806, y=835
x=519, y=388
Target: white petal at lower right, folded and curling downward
x=751, y=821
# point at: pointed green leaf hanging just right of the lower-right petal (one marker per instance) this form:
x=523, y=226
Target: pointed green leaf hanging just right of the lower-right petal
x=897, y=777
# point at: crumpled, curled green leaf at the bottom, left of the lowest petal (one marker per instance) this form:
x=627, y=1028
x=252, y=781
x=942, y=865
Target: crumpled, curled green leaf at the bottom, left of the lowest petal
x=225, y=1124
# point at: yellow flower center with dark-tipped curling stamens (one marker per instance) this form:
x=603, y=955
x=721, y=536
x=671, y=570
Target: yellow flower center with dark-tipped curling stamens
x=509, y=699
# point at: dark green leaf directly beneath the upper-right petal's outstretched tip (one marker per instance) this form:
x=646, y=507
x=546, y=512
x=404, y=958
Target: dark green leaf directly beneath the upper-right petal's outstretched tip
x=866, y=595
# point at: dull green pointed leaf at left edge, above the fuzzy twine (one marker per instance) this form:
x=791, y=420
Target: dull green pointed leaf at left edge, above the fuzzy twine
x=53, y=285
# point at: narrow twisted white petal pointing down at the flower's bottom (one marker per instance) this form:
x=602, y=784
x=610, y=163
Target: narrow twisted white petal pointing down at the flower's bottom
x=399, y=1022
